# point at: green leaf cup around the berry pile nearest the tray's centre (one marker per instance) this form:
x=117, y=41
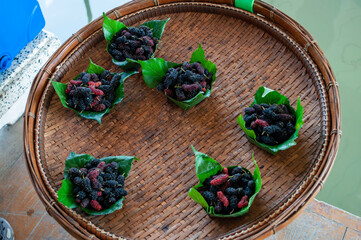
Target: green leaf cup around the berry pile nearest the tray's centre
x=154, y=70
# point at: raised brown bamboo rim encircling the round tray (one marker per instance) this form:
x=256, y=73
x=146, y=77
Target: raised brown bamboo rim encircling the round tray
x=61, y=214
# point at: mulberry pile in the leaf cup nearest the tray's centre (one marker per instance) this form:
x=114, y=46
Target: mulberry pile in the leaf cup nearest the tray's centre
x=186, y=81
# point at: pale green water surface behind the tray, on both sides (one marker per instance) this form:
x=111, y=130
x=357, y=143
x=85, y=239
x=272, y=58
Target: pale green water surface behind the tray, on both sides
x=336, y=26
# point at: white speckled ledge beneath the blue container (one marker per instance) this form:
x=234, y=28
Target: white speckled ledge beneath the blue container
x=15, y=82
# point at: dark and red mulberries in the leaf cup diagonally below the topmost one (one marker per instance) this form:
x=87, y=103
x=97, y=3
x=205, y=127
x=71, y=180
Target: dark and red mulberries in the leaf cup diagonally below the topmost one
x=92, y=92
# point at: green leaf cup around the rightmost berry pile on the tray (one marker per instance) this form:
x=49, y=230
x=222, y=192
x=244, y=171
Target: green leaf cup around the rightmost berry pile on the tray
x=269, y=96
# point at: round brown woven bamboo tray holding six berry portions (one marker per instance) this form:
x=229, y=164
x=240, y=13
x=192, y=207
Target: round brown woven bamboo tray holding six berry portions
x=250, y=50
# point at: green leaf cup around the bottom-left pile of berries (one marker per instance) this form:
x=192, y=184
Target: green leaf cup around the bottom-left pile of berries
x=65, y=194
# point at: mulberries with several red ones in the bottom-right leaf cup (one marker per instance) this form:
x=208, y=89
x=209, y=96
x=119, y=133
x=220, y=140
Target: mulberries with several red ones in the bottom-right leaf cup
x=229, y=191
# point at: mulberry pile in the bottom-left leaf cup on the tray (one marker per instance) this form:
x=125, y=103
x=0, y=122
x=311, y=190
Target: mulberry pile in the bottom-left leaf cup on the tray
x=98, y=185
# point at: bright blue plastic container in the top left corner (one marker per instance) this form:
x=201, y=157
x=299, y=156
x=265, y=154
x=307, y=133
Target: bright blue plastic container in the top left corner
x=22, y=20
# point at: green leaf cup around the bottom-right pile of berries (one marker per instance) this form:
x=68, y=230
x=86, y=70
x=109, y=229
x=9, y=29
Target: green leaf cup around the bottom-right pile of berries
x=205, y=168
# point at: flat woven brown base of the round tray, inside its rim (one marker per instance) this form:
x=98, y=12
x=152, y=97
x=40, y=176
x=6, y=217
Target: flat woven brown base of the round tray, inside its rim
x=148, y=126
